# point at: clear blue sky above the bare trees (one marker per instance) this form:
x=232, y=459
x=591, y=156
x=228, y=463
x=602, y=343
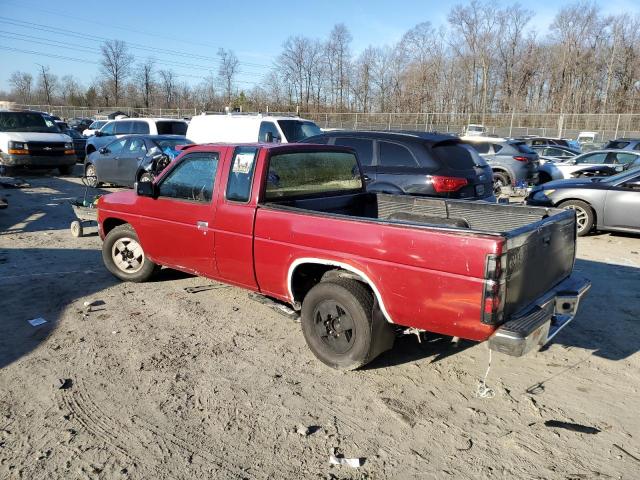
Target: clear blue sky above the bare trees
x=66, y=36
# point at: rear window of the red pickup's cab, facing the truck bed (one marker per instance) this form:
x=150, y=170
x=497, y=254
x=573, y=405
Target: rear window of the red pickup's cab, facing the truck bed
x=306, y=173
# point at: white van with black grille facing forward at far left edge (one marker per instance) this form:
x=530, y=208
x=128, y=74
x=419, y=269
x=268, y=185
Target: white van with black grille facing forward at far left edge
x=29, y=139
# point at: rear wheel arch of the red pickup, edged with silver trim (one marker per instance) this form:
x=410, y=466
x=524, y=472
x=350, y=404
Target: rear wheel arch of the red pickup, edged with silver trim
x=305, y=273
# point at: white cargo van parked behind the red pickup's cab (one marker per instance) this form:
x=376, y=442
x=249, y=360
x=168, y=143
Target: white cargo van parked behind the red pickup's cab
x=249, y=128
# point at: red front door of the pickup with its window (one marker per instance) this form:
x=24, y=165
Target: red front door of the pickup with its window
x=176, y=229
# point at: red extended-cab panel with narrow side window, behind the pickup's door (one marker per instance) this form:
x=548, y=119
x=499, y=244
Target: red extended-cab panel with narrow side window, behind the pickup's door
x=235, y=219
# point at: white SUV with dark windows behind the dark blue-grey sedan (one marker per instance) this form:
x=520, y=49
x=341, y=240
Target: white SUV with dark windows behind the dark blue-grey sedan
x=132, y=126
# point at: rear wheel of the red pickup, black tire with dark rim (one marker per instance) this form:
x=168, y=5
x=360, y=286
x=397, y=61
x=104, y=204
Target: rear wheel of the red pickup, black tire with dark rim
x=337, y=323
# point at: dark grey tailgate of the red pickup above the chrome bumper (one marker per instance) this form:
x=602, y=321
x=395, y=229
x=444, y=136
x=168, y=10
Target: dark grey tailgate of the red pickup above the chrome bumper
x=539, y=256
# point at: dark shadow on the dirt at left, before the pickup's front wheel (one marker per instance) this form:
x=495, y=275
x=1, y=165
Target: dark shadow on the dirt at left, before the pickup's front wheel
x=65, y=276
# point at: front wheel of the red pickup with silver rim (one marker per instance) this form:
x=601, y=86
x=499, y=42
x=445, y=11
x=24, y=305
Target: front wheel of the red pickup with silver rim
x=124, y=257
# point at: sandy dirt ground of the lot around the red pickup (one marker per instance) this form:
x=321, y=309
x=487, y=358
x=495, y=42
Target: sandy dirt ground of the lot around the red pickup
x=164, y=383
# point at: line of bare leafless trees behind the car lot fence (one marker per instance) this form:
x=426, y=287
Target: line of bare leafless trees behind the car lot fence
x=485, y=58
